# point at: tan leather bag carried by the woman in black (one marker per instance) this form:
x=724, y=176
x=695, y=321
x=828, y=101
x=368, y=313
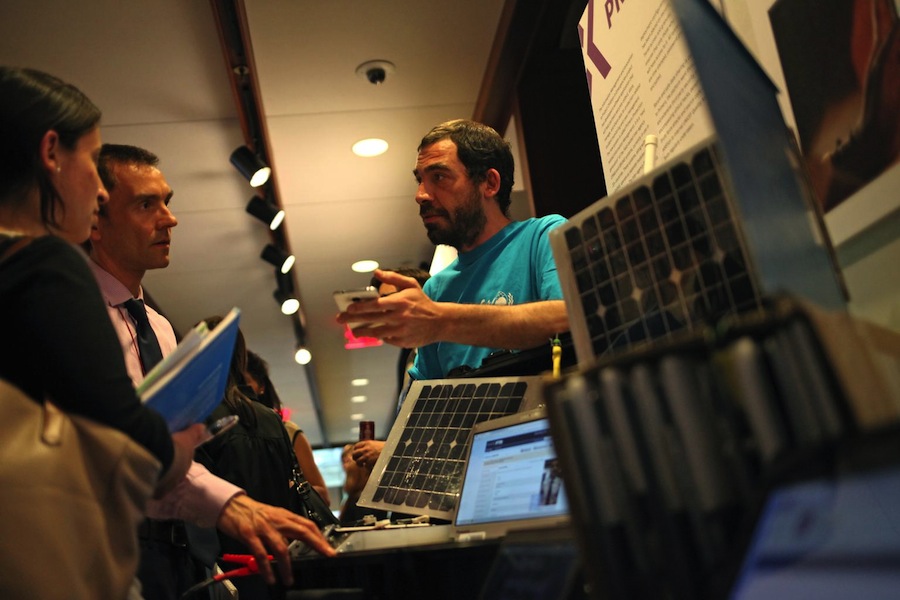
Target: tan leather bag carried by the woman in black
x=73, y=493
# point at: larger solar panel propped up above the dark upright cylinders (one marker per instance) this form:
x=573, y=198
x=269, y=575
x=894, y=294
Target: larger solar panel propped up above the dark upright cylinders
x=661, y=256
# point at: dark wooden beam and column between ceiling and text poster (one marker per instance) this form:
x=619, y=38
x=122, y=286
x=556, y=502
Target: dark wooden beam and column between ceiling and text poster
x=536, y=72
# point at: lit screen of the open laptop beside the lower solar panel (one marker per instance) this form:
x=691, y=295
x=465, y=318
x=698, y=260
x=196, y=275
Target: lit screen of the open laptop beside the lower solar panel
x=512, y=474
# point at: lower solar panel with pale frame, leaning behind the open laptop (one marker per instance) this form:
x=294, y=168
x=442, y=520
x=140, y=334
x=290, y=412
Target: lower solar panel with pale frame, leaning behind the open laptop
x=420, y=468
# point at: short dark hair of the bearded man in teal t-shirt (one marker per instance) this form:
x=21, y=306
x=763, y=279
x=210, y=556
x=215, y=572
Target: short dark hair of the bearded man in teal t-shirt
x=479, y=148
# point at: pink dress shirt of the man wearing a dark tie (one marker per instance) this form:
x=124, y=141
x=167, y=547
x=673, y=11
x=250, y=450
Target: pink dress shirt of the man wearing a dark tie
x=200, y=496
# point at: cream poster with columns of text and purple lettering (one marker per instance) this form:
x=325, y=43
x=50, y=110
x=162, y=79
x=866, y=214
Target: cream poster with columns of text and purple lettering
x=642, y=81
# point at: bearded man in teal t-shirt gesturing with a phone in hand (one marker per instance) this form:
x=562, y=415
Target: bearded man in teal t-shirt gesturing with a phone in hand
x=501, y=293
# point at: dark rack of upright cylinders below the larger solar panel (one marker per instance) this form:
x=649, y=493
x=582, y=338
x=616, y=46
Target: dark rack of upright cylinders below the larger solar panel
x=668, y=452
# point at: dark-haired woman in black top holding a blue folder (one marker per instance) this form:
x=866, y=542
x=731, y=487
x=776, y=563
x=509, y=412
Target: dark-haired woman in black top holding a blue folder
x=58, y=342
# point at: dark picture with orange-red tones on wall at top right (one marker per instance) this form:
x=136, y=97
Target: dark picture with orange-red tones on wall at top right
x=841, y=66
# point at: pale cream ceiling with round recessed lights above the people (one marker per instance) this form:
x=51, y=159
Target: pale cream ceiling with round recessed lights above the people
x=158, y=72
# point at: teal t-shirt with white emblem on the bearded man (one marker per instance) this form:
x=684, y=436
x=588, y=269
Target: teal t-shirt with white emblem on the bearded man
x=515, y=266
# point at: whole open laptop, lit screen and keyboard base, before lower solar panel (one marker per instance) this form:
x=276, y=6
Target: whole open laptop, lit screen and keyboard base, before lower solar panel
x=511, y=483
